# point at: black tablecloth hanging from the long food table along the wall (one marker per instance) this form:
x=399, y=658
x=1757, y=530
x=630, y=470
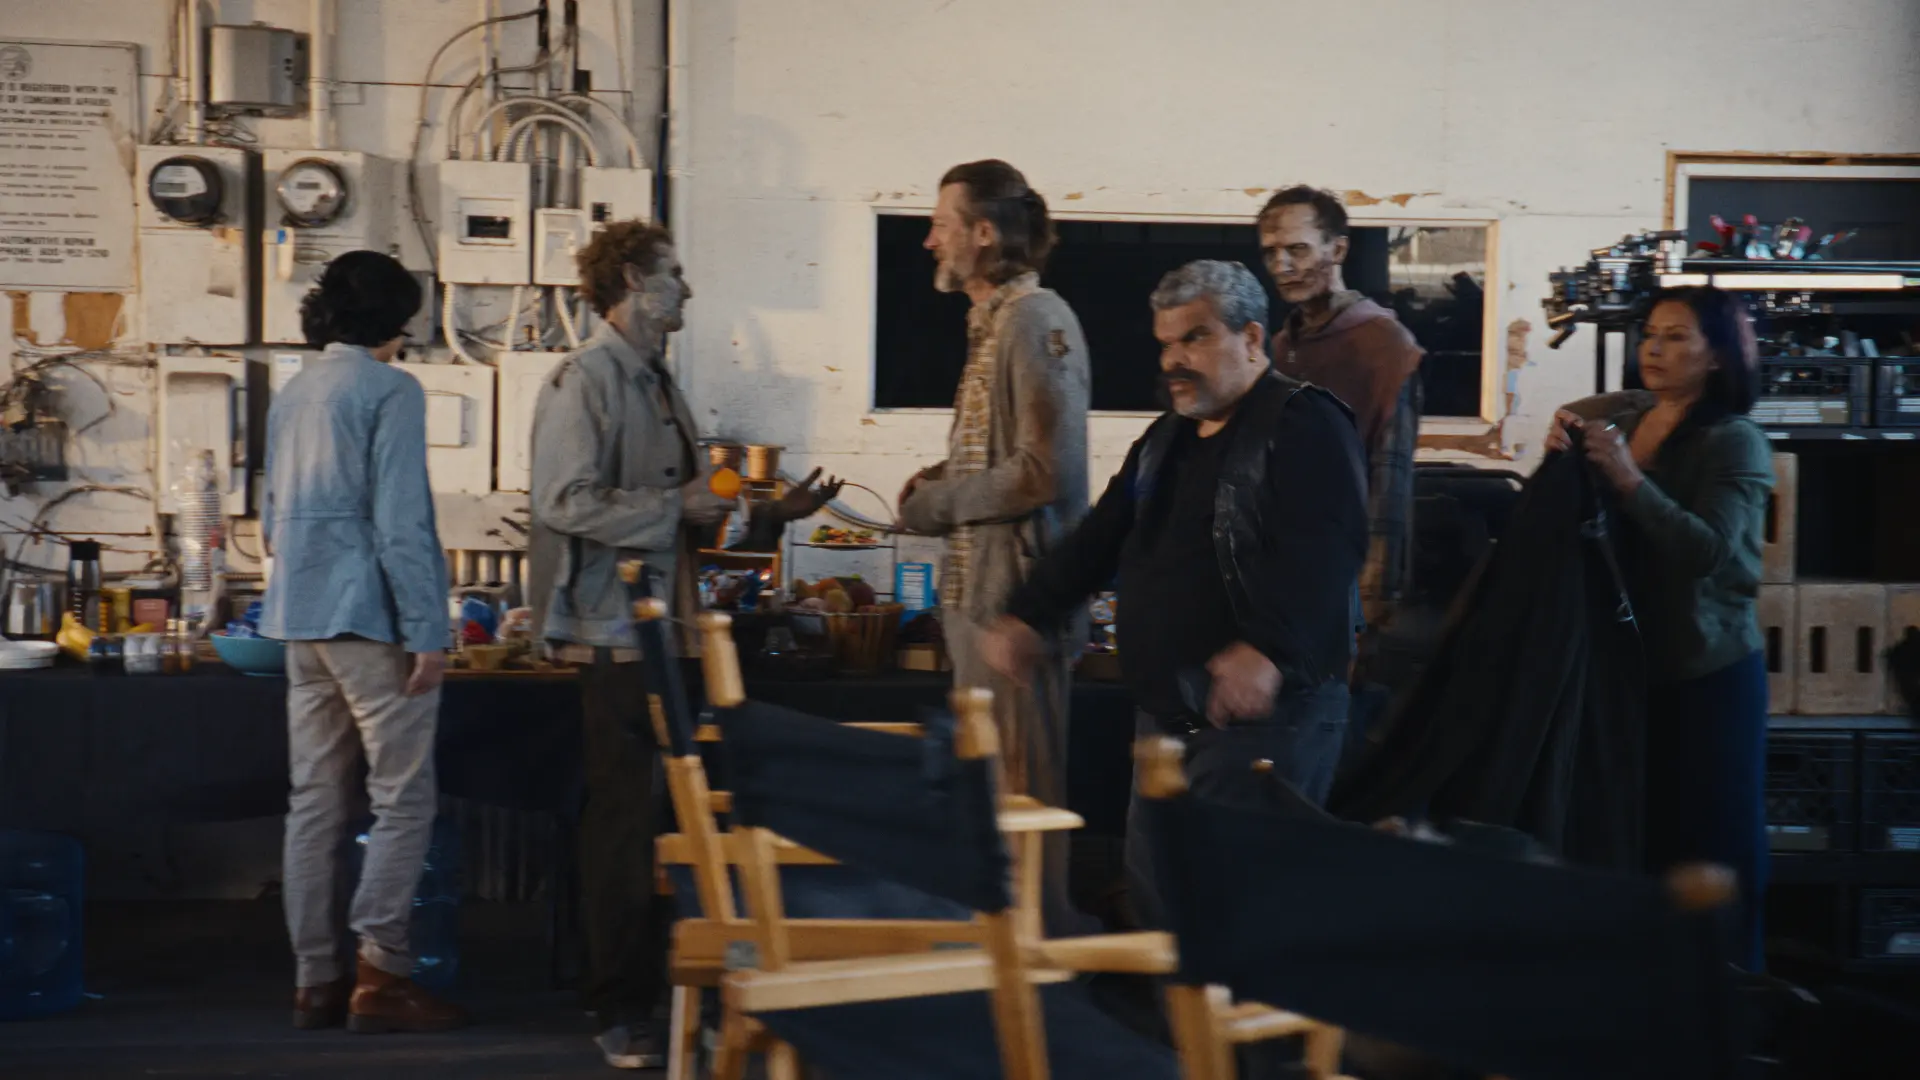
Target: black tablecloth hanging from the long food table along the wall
x=82, y=750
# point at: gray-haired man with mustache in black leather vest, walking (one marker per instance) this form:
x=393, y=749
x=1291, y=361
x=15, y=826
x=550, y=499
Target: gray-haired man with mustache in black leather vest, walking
x=1237, y=529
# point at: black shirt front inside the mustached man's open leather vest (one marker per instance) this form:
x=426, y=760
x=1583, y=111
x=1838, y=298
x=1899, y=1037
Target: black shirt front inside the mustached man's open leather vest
x=1174, y=608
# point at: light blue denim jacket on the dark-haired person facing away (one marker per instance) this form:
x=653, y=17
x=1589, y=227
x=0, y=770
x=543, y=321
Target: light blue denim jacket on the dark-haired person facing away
x=350, y=518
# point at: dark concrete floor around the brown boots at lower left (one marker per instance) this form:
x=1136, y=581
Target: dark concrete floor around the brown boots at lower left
x=204, y=989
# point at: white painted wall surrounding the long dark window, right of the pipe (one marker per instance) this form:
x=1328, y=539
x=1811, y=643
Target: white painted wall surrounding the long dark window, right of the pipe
x=1550, y=118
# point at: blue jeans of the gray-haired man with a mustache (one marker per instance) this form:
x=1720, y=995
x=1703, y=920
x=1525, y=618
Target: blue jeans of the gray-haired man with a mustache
x=1303, y=739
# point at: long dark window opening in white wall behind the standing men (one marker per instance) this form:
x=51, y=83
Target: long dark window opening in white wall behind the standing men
x=1431, y=278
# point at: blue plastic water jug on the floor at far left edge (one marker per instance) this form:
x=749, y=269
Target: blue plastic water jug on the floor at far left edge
x=41, y=914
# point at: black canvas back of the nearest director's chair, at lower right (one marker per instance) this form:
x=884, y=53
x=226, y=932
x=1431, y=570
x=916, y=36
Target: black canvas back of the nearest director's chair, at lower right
x=1485, y=962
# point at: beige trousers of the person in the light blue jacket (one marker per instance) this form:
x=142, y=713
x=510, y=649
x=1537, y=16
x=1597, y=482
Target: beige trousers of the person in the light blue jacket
x=347, y=700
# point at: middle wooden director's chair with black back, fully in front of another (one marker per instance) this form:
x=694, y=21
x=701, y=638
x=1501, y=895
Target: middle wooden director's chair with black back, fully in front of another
x=924, y=812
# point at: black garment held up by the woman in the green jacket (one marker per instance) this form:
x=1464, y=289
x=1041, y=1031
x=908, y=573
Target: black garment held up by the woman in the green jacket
x=1533, y=714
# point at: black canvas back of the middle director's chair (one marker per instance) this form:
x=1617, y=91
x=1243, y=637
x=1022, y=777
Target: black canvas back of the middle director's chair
x=900, y=808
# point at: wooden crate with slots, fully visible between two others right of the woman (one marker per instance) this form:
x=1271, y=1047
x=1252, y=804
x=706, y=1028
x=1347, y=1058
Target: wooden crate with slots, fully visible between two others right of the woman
x=1838, y=649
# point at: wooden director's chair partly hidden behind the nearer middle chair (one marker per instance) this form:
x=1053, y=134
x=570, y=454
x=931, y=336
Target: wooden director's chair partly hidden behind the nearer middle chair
x=852, y=914
